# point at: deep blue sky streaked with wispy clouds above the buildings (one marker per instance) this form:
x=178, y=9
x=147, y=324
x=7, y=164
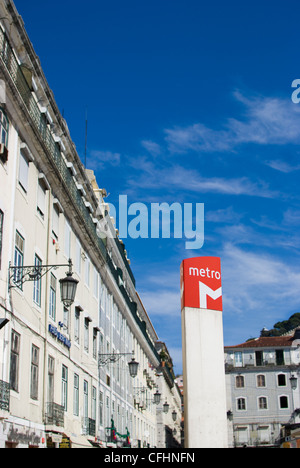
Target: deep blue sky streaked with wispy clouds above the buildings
x=189, y=101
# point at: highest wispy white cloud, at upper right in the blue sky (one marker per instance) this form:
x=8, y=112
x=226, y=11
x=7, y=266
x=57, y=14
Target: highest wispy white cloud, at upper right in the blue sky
x=266, y=120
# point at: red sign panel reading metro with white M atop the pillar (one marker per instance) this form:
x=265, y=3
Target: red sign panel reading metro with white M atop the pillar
x=201, y=284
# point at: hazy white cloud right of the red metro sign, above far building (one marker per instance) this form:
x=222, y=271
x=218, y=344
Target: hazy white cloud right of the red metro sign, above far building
x=257, y=284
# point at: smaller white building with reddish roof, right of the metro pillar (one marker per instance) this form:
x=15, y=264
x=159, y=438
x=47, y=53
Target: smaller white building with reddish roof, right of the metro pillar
x=263, y=392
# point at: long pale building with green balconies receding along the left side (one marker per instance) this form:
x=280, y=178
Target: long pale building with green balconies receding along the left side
x=65, y=378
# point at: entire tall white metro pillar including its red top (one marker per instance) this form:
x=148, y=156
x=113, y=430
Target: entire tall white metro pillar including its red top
x=203, y=353
